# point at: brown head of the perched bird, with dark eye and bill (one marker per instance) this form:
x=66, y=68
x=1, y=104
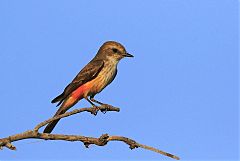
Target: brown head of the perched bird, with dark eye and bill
x=113, y=50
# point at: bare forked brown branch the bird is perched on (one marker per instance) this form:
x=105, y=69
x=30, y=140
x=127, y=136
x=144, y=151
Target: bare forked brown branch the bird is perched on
x=101, y=141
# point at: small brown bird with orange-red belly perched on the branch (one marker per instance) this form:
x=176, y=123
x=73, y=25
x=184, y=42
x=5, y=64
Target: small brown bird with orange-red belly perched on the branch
x=91, y=80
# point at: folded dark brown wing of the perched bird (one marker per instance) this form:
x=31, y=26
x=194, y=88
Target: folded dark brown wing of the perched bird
x=88, y=73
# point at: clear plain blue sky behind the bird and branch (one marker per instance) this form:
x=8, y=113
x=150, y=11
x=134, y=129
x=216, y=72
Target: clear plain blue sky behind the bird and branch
x=178, y=94
